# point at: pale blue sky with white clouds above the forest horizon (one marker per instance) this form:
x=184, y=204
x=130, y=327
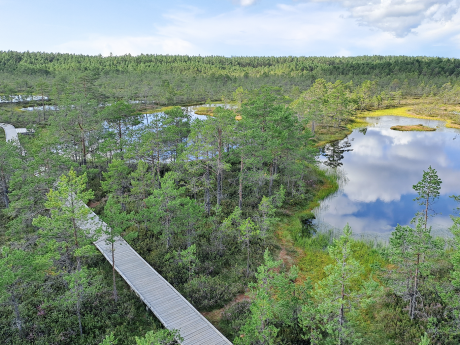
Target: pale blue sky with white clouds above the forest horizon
x=233, y=27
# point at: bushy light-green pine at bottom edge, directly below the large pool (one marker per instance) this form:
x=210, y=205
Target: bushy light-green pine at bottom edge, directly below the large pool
x=338, y=297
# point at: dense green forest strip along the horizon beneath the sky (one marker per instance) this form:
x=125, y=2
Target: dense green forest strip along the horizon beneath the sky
x=377, y=66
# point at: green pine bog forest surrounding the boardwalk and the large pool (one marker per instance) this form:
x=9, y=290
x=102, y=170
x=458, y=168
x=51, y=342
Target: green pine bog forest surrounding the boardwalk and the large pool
x=221, y=206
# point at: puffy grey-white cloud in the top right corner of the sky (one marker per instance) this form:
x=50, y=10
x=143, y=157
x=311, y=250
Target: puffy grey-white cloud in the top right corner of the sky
x=399, y=17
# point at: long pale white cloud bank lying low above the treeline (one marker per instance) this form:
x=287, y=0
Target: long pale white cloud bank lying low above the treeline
x=297, y=29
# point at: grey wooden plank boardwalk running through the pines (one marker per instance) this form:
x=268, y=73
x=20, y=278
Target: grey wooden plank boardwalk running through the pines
x=169, y=306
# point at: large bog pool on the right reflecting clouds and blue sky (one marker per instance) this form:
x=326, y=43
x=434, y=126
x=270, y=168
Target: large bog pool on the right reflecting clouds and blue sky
x=379, y=166
